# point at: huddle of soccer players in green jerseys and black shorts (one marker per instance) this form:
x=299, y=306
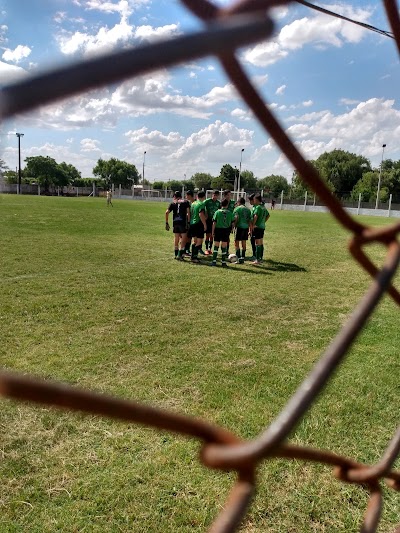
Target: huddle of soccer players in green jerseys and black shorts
x=193, y=218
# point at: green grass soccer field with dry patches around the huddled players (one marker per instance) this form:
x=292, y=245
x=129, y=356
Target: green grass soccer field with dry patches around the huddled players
x=92, y=296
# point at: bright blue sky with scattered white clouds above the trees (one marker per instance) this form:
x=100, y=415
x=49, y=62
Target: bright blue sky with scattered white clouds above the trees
x=332, y=84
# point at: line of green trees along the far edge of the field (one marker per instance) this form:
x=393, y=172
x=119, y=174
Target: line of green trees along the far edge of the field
x=346, y=174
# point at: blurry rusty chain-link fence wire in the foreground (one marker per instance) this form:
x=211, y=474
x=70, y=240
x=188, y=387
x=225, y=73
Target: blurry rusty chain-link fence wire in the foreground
x=243, y=23
